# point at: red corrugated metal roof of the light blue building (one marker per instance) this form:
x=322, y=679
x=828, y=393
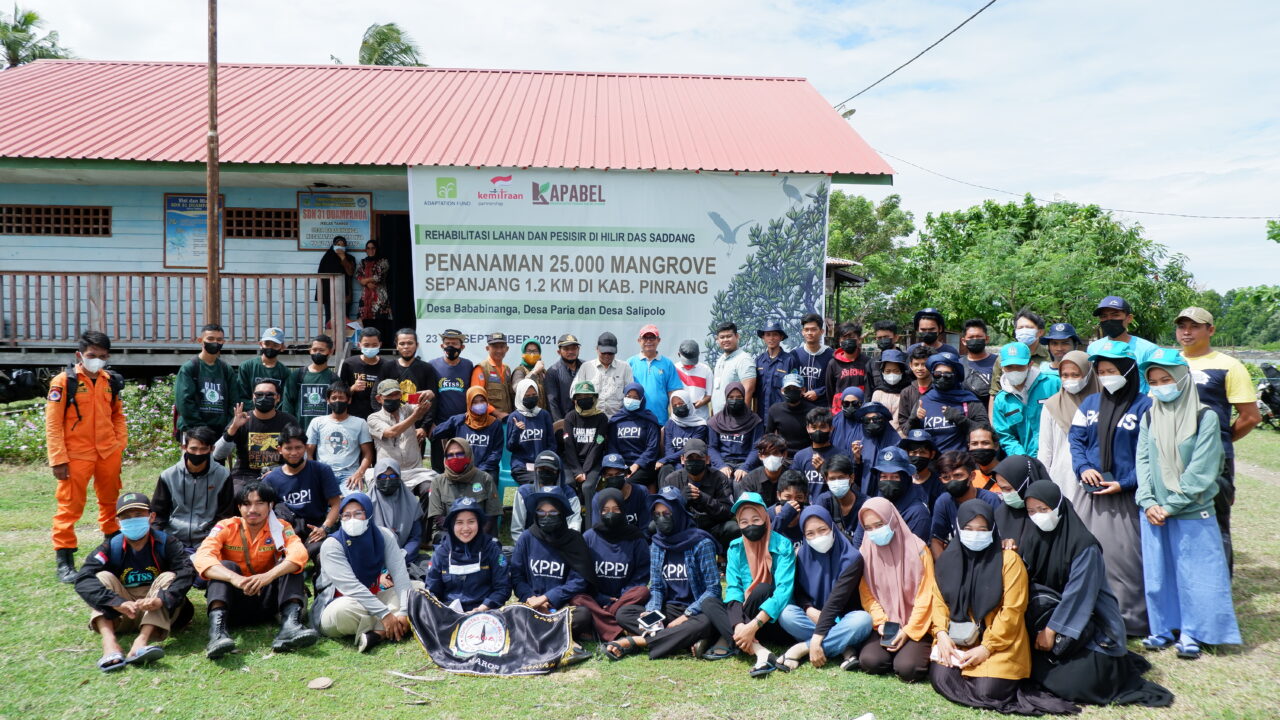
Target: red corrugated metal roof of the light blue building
x=382, y=116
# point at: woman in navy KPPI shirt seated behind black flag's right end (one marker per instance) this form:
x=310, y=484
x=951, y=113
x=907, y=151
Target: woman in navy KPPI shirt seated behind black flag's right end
x=551, y=564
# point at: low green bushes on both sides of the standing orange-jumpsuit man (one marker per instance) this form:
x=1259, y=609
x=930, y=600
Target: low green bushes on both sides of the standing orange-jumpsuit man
x=148, y=412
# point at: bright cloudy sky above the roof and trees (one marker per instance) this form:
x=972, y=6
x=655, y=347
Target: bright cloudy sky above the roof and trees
x=1165, y=107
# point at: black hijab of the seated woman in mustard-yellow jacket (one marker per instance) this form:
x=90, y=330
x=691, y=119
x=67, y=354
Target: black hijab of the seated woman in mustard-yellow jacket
x=972, y=582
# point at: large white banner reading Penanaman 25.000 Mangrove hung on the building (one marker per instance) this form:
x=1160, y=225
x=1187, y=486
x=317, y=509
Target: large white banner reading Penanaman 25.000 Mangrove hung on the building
x=542, y=253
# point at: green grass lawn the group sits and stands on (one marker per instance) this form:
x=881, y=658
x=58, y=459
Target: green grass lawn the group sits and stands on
x=48, y=654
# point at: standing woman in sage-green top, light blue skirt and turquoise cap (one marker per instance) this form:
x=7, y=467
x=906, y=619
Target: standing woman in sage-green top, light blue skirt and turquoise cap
x=1180, y=461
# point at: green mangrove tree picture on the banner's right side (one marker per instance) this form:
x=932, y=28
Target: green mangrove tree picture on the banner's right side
x=781, y=280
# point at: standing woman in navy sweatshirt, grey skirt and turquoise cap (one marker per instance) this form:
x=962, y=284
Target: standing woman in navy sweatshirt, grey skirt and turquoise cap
x=1104, y=455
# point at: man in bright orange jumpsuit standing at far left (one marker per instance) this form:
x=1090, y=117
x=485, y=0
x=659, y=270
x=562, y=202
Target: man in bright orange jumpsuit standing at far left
x=86, y=438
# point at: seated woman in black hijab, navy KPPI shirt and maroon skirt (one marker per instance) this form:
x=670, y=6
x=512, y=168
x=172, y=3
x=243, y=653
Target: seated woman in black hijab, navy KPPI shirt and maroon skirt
x=621, y=555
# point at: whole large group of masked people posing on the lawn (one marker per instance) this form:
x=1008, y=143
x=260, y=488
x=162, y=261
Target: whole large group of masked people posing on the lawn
x=998, y=523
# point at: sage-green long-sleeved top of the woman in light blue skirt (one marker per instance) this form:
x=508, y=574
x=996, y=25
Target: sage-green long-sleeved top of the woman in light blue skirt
x=1200, y=477
